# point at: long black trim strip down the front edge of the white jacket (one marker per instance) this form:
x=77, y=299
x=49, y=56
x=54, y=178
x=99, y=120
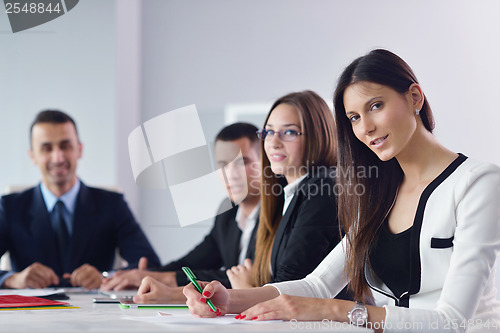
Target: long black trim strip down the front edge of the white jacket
x=415, y=264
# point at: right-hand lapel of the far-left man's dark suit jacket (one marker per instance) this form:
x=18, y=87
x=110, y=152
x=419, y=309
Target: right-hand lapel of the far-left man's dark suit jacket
x=84, y=218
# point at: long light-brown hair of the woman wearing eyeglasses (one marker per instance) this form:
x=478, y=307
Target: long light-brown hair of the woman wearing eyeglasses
x=318, y=149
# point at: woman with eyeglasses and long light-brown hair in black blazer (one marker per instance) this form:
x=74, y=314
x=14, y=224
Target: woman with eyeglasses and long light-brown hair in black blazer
x=298, y=223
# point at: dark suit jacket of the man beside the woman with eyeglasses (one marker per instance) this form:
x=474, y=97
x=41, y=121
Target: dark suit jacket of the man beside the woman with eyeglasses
x=216, y=253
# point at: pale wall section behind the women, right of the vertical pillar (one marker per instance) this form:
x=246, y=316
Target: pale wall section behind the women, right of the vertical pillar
x=216, y=52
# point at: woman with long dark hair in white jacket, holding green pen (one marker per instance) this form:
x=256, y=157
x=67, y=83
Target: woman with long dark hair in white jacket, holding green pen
x=423, y=231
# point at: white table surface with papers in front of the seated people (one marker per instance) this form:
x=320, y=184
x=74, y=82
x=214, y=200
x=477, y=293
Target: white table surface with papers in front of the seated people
x=92, y=317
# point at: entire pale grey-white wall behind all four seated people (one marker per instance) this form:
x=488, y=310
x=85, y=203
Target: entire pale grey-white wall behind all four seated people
x=114, y=65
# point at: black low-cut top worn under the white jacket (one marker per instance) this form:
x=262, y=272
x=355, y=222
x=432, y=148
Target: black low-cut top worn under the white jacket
x=390, y=259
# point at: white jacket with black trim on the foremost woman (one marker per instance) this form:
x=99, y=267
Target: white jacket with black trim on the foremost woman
x=455, y=243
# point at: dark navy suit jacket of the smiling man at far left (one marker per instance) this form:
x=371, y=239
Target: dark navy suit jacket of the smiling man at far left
x=102, y=222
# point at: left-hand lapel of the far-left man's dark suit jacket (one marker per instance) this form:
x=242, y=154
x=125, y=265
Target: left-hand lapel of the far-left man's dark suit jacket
x=42, y=233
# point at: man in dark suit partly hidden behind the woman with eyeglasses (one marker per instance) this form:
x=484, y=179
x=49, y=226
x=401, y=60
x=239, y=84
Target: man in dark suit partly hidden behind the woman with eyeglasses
x=232, y=238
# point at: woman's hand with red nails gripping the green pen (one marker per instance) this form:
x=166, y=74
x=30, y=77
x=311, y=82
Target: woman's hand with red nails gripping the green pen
x=197, y=302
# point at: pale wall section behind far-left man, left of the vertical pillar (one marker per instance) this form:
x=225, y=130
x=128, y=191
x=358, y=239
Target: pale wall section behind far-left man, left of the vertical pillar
x=69, y=64
